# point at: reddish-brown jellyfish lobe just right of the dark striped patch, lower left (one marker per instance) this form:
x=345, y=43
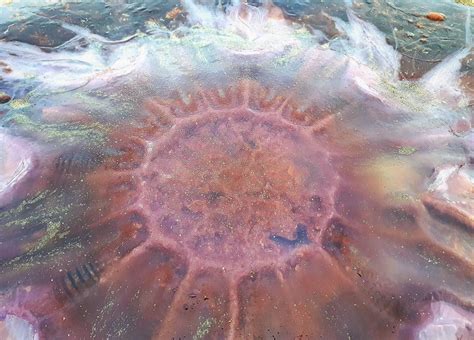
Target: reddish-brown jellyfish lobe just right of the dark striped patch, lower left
x=143, y=283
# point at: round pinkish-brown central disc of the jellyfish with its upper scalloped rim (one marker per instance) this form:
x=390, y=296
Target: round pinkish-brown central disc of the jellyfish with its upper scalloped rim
x=236, y=180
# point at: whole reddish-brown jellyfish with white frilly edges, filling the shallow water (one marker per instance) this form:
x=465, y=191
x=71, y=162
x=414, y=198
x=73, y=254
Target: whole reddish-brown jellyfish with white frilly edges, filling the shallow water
x=238, y=177
